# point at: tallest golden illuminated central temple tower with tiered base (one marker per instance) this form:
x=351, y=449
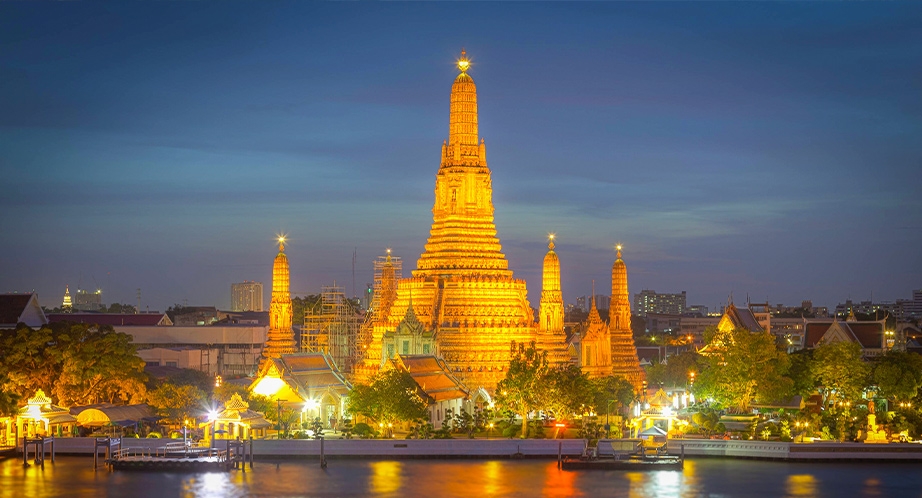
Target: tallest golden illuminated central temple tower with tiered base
x=463, y=290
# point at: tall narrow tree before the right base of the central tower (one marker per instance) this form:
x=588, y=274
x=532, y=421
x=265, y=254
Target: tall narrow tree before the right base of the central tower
x=521, y=390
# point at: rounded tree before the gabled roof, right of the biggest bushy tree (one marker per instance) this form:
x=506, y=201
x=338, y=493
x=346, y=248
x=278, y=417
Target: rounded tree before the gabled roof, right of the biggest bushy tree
x=841, y=373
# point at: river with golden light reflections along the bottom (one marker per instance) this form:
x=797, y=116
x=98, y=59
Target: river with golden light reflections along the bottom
x=73, y=476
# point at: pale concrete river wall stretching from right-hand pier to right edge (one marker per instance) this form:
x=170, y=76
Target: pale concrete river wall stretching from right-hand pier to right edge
x=776, y=450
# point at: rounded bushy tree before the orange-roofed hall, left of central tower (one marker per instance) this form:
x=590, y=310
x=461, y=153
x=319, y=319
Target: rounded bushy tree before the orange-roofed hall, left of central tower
x=392, y=396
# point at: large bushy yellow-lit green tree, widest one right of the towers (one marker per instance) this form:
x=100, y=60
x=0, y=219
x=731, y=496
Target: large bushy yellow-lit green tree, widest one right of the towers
x=741, y=366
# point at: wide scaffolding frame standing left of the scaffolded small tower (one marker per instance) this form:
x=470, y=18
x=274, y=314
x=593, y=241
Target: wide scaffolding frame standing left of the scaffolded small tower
x=333, y=327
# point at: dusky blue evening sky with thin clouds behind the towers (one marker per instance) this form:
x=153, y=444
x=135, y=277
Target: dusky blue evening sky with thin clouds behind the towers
x=768, y=150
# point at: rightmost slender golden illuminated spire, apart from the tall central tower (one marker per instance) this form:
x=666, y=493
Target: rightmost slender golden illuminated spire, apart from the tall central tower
x=623, y=351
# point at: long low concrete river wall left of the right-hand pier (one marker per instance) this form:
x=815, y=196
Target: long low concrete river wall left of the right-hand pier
x=369, y=448
